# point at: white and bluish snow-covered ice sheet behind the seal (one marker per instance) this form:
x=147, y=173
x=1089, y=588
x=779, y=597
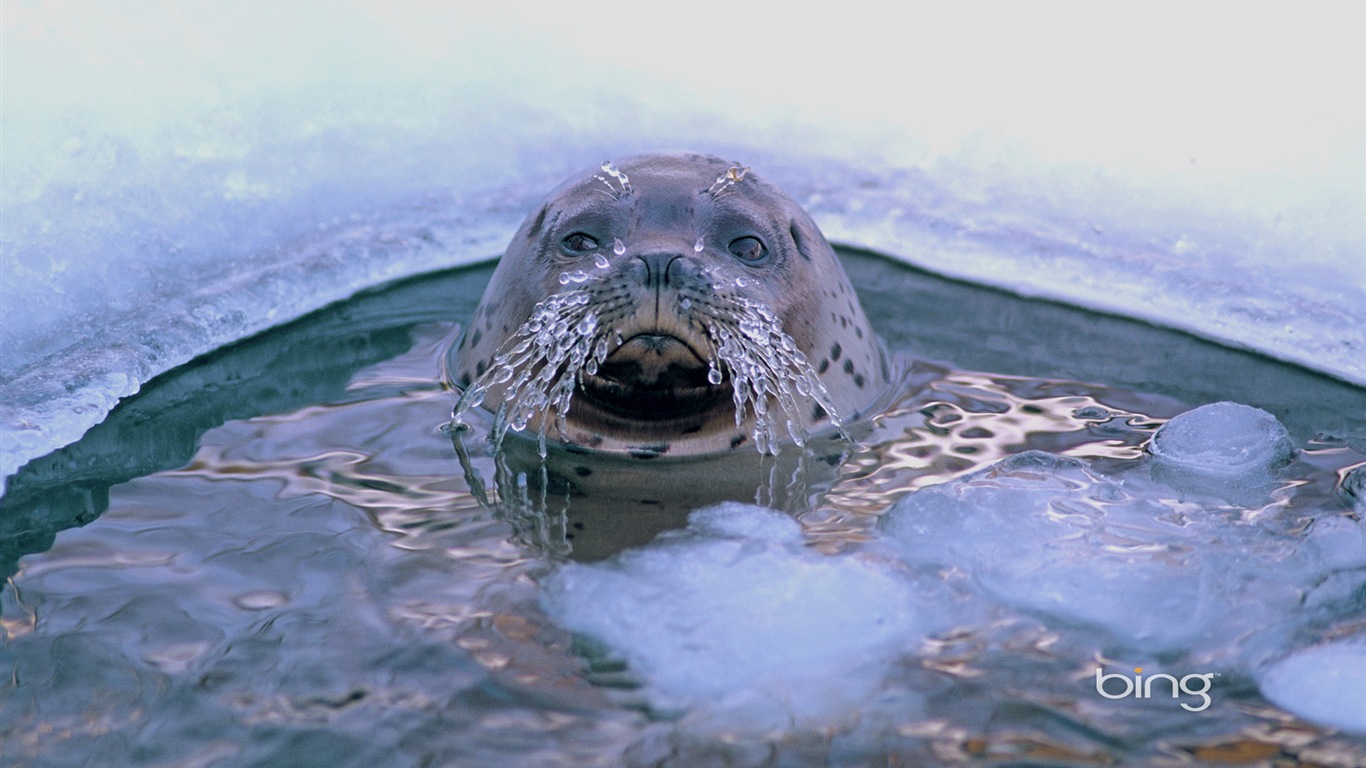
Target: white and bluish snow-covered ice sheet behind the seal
x=180, y=177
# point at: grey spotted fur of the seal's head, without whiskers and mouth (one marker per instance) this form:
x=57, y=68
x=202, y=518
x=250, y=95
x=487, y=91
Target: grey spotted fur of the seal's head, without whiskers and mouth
x=666, y=233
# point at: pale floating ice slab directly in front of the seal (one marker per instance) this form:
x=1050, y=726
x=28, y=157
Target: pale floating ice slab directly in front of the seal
x=734, y=613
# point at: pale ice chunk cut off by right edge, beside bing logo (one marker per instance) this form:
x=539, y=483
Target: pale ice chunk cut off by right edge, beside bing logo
x=1326, y=685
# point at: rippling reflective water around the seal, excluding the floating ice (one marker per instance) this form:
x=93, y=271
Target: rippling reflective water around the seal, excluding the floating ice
x=279, y=556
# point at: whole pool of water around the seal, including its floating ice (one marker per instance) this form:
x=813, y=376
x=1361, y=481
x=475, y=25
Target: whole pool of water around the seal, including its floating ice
x=275, y=556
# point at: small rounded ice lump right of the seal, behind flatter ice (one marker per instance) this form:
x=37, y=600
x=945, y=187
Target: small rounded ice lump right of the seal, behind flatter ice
x=1223, y=441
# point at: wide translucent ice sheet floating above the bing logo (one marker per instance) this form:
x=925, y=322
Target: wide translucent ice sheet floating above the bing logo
x=1152, y=569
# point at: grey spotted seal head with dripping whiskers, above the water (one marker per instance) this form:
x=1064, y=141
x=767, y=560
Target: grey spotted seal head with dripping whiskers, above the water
x=671, y=305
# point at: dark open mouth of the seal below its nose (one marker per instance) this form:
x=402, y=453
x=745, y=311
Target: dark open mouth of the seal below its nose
x=655, y=378
